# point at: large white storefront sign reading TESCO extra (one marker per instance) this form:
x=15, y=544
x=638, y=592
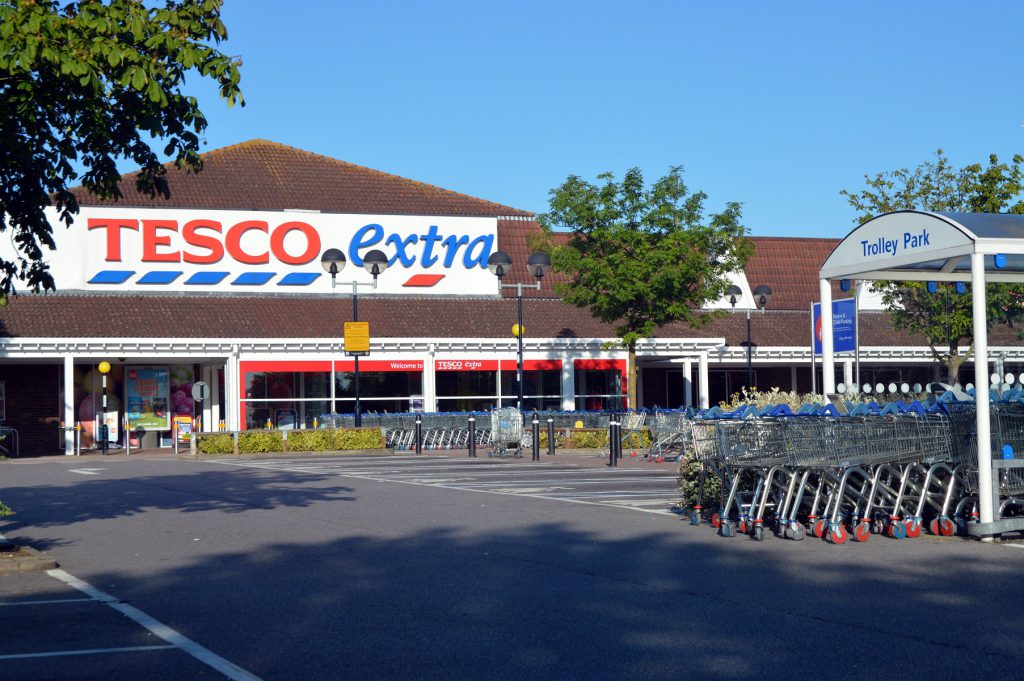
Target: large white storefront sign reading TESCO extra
x=141, y=249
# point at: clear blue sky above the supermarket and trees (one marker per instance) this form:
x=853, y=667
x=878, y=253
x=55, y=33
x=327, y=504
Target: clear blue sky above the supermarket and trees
x=779, y=106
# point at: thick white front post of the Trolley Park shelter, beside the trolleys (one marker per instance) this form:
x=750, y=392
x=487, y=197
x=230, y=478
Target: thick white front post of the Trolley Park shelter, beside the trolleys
x=982, y=380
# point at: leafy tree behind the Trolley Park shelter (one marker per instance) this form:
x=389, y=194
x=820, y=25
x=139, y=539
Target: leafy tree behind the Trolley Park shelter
x=945, y=318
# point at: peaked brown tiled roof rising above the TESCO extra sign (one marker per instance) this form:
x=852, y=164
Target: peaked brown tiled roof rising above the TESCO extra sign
x=265, y=176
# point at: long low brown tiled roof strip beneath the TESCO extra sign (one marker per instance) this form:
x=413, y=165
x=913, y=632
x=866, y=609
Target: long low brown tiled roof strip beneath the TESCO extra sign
x=63, y=316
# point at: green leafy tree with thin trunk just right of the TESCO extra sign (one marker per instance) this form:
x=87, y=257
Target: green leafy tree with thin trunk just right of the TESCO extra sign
x=643, y=259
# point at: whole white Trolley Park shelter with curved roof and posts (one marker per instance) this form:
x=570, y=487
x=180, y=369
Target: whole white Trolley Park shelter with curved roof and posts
x=937, y=247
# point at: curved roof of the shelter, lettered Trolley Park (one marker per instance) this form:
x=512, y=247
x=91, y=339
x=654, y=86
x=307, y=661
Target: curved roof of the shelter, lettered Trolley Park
x=930, y=246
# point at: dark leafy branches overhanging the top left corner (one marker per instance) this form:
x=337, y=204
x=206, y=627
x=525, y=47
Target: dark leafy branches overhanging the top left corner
x=89, y=83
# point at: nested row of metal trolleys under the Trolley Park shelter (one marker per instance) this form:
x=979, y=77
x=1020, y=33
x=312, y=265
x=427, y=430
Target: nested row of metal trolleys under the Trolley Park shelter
x=852, y=477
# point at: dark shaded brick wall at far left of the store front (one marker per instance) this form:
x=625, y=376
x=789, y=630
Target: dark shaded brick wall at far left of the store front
x=33, y=406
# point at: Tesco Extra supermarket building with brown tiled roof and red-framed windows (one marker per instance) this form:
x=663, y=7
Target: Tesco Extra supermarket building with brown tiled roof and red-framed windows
x=223, y=284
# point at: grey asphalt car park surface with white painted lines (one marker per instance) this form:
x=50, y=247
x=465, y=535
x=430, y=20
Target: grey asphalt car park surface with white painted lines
x=440, y=568
